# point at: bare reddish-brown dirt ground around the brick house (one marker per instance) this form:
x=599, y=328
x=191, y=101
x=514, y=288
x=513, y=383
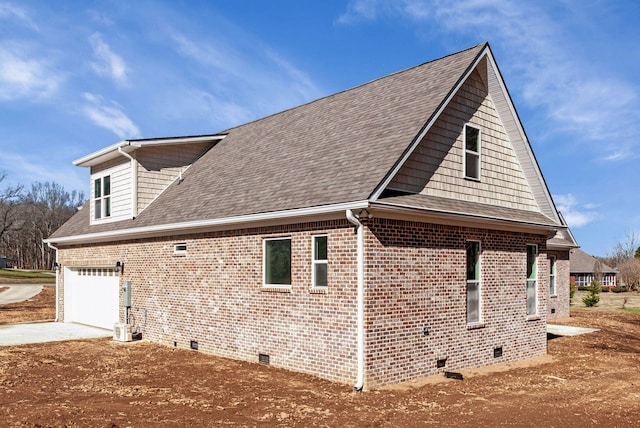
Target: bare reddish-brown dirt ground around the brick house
x=587, y=380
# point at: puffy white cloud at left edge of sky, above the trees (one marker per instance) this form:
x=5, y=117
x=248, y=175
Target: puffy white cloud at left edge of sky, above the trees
x=25, y=77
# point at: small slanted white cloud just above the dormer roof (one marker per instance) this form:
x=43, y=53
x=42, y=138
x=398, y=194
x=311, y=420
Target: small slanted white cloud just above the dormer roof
x=109, y=116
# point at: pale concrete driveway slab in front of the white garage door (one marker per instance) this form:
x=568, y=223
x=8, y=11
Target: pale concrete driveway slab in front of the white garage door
x=20, y=334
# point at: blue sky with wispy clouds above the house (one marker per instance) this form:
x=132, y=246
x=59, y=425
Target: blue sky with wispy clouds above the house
x=77, y=76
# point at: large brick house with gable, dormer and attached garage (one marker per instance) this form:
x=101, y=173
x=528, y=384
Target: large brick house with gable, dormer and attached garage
x=387, y=232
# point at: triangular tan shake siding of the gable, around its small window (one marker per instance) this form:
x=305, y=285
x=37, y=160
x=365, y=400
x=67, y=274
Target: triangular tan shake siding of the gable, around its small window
x=435, y=167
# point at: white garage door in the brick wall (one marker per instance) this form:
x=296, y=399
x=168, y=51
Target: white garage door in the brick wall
x=91, y=296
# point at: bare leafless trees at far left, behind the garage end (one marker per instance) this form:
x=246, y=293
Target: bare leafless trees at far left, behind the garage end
x=29, y=214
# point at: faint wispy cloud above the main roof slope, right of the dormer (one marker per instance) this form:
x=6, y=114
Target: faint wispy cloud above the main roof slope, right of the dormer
x=222, y=68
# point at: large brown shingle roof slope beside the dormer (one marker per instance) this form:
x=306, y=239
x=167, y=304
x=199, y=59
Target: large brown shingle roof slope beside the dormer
x=333, y=150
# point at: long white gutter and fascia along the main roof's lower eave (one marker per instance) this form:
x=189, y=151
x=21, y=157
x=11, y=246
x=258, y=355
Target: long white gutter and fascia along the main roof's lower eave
x=244, y=221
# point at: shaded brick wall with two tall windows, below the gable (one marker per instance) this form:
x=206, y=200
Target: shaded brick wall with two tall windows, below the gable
x=416, y=280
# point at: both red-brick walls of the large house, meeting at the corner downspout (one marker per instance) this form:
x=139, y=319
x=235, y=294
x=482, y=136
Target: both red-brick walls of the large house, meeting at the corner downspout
x=414, y=279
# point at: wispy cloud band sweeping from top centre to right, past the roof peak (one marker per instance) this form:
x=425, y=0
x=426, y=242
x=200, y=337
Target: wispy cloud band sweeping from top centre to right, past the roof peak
x=578, y=94
